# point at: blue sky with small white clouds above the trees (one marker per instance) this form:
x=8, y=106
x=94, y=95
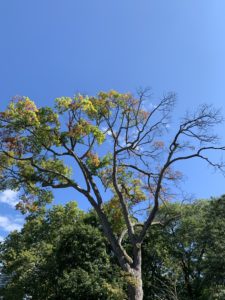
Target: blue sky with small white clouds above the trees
x=57, y=48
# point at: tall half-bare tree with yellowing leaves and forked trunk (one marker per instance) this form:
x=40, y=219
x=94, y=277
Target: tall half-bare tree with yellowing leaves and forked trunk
x=114, y=142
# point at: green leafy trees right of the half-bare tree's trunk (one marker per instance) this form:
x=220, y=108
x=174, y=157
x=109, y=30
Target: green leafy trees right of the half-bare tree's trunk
x=186, y=256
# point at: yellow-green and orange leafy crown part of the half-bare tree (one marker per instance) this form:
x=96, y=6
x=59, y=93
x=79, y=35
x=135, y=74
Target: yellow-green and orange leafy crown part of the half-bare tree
x=36, y=142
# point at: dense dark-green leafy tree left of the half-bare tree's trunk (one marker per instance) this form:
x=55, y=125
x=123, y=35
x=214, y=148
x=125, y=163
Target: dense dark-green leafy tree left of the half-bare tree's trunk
x=60, y=255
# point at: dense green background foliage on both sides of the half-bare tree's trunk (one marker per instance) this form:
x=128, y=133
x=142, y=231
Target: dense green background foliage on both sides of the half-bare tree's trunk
x=62, y=254
